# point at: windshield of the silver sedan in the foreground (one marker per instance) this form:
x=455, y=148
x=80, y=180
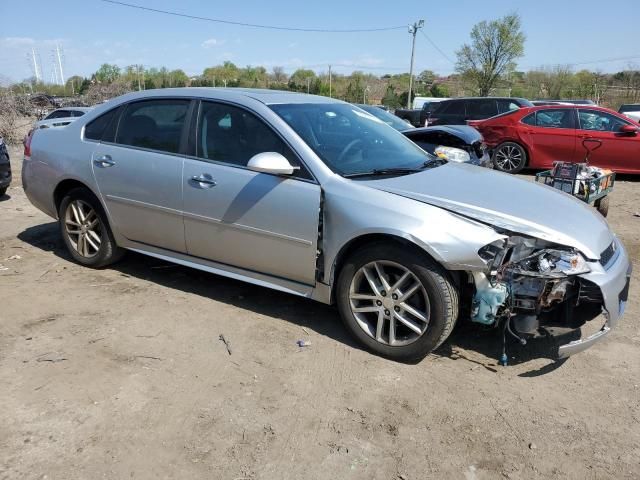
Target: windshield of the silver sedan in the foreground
x=349, y=140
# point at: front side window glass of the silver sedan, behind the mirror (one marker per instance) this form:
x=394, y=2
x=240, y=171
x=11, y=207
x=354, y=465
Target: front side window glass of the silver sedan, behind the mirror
x=232, y=135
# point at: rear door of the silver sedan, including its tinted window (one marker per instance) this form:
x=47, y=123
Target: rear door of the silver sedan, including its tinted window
x=142, y=185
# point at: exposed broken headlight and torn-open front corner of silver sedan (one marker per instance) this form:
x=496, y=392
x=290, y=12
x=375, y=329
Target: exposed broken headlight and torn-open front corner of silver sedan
x=534, y=288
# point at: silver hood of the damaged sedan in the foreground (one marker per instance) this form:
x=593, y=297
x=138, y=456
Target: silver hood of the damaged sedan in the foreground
x=506, y=202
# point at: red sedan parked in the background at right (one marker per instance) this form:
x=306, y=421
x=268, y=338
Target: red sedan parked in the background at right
x=535, y=137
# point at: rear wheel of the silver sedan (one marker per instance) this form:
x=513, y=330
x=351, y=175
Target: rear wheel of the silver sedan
x=85, y=230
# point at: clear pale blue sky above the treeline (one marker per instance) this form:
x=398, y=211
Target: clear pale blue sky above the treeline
x=91, y=32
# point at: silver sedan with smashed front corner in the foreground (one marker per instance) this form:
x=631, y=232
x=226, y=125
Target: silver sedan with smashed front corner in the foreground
x=316, y=197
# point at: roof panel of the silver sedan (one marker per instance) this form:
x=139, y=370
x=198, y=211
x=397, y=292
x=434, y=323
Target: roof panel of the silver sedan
x=266, y=96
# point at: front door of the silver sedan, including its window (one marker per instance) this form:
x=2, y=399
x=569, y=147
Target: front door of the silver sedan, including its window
x=256, y=221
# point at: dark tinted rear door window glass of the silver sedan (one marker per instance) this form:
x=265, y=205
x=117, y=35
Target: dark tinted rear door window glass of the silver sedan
x=153, y=124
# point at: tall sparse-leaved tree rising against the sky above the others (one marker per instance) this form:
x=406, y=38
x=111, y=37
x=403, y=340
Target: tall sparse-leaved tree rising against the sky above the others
x=495, y=45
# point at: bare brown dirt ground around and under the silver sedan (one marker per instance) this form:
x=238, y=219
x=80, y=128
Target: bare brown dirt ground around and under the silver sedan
x=120, y=373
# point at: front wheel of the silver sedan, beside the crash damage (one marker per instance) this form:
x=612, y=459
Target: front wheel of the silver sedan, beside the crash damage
x=398, y=303
